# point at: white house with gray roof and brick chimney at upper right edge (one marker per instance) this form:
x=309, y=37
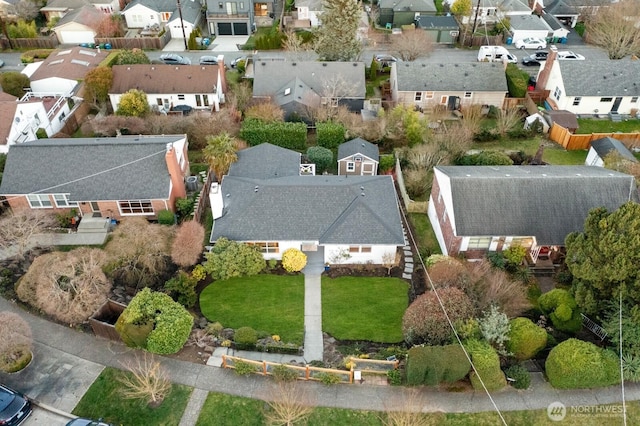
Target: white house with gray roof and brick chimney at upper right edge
x=613, y=89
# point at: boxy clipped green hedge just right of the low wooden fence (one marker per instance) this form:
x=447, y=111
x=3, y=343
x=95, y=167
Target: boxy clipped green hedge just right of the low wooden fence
x=431, y=365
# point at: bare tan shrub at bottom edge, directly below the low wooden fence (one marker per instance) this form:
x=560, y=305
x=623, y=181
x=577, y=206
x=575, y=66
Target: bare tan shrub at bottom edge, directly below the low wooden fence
x=291, y=404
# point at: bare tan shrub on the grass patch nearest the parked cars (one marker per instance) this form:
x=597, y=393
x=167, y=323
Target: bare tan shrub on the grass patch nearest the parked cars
x=145, y=379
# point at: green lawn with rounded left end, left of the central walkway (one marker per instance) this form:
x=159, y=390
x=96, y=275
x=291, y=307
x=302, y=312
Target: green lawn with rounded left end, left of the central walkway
x=270, y=303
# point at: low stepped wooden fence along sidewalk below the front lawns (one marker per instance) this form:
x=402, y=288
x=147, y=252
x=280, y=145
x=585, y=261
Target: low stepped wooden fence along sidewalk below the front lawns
x=308, y=372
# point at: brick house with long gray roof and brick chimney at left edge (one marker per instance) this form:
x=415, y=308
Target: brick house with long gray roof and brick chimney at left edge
x=109, y=177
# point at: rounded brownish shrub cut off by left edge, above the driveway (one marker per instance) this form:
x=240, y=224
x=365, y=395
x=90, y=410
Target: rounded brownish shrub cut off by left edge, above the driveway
x=15, y=342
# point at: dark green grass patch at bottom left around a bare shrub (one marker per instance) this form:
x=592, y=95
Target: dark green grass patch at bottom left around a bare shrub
x=103, y=400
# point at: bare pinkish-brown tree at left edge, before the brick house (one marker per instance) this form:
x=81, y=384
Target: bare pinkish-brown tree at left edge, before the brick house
x=18, y=229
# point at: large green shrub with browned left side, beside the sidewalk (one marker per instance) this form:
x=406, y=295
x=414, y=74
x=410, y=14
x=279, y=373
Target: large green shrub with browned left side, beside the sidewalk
x=161, y=325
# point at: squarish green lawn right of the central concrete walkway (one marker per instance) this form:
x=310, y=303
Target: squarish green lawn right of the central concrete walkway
x=359, y=308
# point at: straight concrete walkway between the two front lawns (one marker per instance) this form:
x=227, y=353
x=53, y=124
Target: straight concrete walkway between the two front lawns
x=313, y=342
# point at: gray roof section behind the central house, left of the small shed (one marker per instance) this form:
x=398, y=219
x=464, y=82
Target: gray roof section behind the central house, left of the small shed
x=266, y=161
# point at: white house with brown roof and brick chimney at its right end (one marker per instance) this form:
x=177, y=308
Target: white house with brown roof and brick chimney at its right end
x=198, y=86
